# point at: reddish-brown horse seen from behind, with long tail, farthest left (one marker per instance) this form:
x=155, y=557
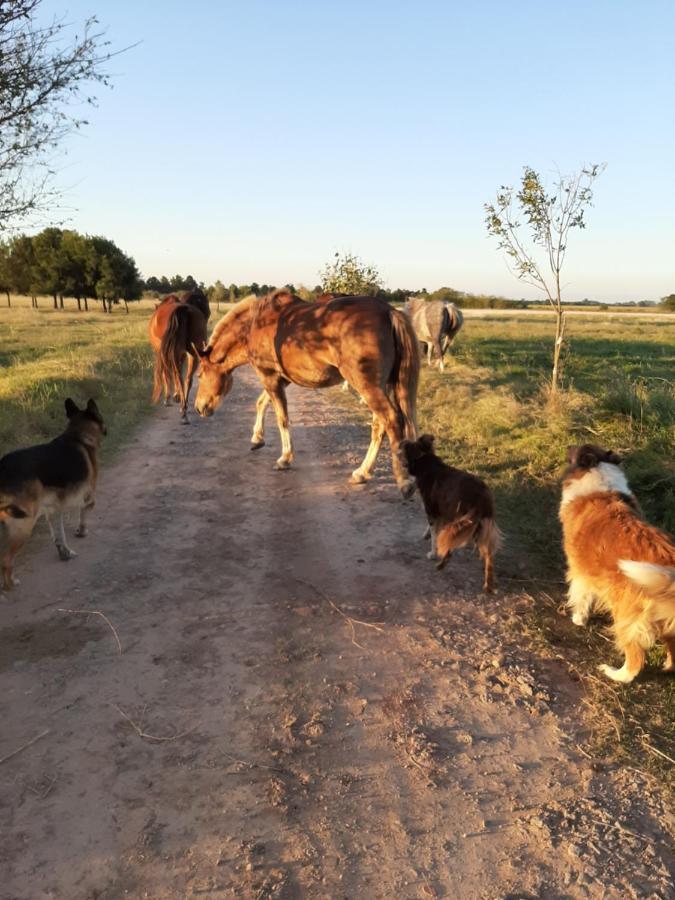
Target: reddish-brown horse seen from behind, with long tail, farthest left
x=176, y=325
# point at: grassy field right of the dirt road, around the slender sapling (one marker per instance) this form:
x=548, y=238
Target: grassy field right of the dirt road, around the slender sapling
x=492, y=413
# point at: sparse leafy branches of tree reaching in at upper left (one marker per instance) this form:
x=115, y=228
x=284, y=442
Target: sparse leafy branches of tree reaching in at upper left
x=43, y=69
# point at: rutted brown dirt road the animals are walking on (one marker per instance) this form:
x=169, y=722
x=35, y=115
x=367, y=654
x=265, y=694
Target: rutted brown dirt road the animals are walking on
x=254, y=739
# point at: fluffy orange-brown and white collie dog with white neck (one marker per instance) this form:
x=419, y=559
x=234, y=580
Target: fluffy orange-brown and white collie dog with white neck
x=616, y=561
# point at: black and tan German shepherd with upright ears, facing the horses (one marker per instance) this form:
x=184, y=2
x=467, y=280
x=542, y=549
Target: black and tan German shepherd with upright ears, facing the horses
x=47, y=480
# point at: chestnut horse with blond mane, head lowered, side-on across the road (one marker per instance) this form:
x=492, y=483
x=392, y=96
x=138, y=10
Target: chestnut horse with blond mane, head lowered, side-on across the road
x=316, y=345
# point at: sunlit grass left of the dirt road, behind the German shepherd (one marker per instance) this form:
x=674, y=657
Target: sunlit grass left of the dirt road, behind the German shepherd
x=48, y=355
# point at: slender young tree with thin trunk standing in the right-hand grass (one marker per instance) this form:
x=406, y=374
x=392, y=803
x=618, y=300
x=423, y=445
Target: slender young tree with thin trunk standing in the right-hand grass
x=550, y=218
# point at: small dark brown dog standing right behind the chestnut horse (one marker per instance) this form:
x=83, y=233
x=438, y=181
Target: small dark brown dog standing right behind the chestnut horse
x=459, y=506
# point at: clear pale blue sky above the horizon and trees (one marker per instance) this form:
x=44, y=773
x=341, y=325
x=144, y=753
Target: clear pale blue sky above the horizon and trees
x=250, y=140
